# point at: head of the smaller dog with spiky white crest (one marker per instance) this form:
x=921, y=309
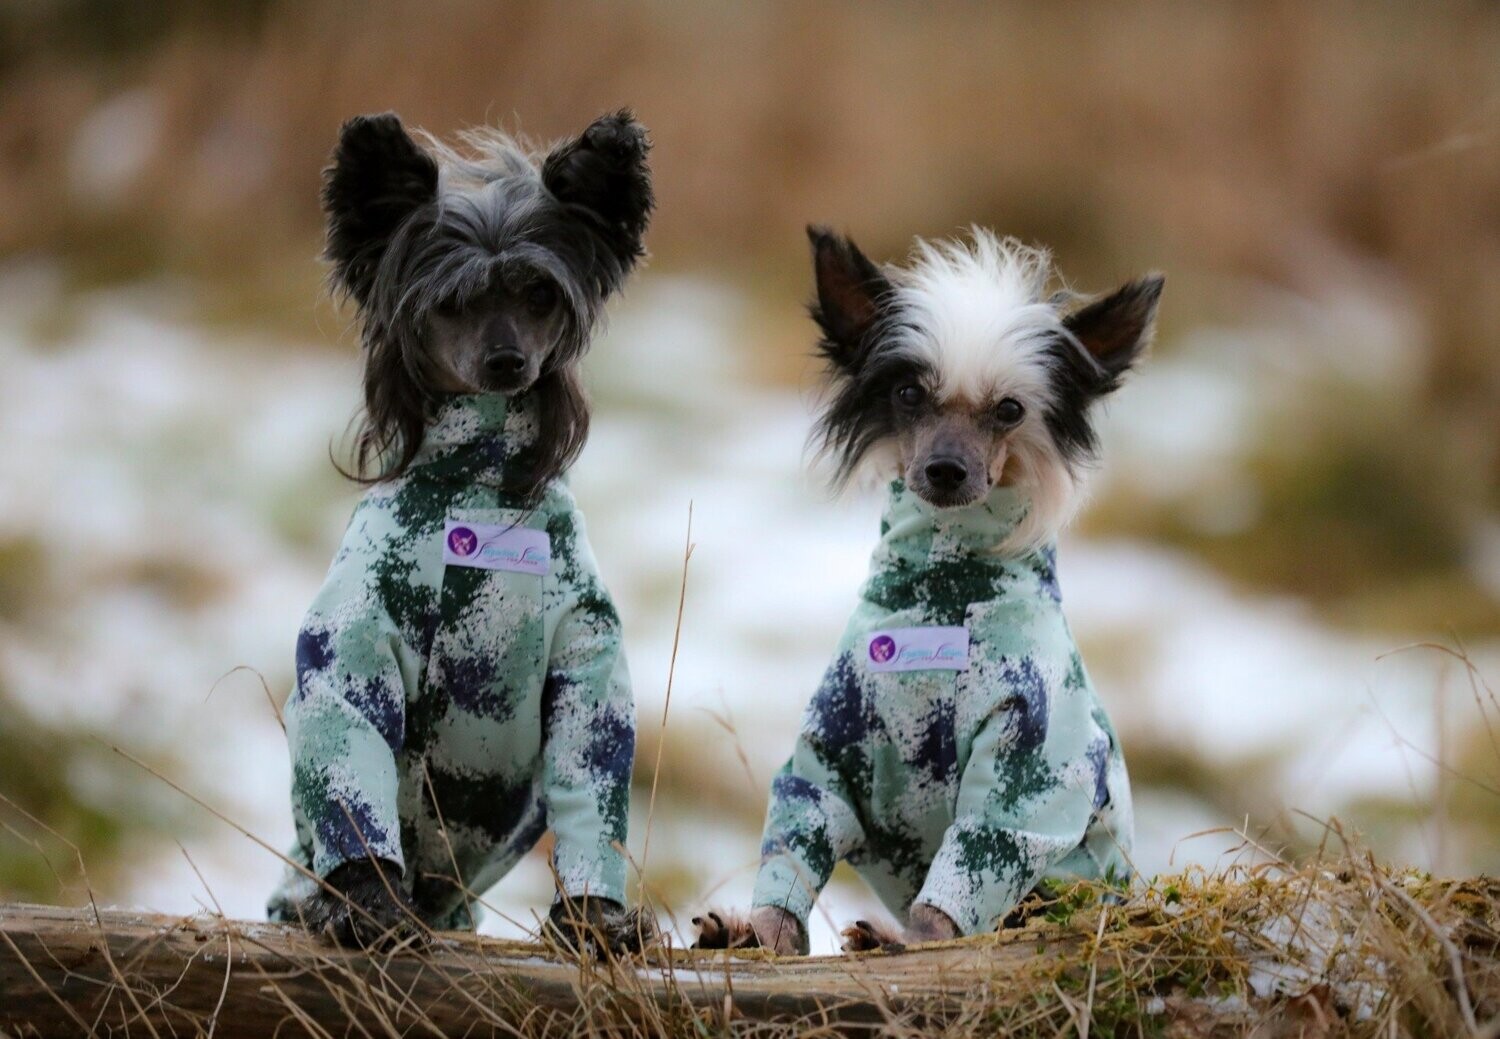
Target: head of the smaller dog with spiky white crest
x=961, y=373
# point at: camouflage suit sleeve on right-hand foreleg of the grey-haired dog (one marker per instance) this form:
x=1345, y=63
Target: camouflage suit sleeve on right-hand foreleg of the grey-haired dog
x=590, y=732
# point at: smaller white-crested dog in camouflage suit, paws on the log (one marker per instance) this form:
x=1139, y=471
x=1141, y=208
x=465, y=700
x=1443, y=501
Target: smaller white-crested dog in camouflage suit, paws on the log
x=955, y=753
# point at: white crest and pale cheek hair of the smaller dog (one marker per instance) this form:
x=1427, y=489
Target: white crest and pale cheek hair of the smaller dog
x=979, y=314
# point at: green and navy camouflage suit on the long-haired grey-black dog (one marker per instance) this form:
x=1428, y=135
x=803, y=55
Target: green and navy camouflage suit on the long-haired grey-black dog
x=461, y=686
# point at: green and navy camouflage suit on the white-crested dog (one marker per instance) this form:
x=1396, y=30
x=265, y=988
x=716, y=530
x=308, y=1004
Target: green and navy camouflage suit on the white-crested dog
x=959, y=788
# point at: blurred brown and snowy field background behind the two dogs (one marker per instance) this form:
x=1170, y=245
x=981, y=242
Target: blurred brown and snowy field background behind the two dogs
x=1300, y=487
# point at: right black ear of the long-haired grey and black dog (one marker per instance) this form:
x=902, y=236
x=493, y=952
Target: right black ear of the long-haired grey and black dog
x=604, y=176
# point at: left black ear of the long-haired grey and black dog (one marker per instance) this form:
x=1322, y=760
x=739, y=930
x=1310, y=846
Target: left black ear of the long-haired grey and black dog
x=379, y=176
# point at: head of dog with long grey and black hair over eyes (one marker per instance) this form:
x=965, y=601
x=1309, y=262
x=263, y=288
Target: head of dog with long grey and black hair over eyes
x=481, y=272
